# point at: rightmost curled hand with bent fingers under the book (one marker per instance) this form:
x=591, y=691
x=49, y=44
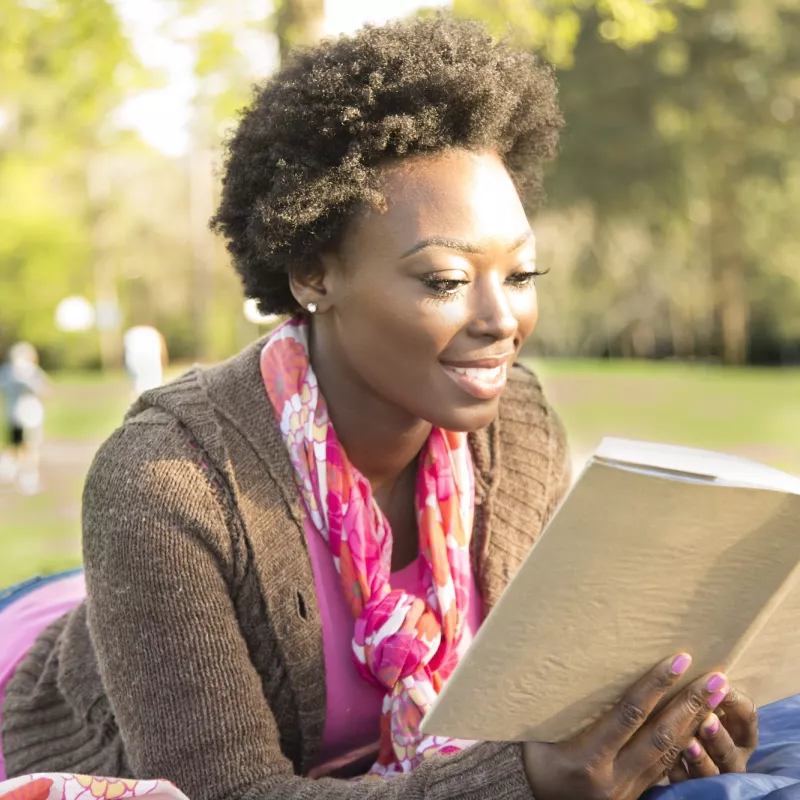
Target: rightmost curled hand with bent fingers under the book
x=724, y=742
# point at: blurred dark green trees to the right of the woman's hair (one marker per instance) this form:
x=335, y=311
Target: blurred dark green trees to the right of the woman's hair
x=692, y=141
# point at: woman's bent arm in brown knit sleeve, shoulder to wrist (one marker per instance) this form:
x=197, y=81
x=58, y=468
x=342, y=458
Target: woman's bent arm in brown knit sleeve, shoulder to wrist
x=186, y=698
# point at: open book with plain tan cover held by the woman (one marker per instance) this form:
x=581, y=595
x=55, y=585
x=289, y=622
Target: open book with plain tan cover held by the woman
x=655, y=550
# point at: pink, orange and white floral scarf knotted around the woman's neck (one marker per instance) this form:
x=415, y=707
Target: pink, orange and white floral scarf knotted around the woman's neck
x=402, y=643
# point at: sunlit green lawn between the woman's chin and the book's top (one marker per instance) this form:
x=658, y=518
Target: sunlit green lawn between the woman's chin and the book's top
x=750, y=412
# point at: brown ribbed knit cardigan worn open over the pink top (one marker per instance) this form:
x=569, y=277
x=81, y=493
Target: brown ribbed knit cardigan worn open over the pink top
x=198, y=655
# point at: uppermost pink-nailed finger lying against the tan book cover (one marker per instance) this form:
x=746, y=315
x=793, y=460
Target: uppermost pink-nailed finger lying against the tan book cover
x=616, y=728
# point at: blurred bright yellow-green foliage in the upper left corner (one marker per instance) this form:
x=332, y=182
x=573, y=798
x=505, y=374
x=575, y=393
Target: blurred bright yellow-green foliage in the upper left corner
x=65, y=66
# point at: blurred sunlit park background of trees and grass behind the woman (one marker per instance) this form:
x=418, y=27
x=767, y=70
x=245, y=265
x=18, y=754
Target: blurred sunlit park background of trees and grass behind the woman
x=672, y=308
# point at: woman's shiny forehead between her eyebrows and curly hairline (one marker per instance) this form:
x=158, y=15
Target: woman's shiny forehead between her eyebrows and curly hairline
x=458, y=194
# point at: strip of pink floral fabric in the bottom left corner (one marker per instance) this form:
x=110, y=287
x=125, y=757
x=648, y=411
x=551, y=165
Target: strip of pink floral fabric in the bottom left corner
x=61, y=786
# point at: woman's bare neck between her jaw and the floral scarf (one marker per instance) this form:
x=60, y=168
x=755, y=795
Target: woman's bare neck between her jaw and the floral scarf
x=381, y=440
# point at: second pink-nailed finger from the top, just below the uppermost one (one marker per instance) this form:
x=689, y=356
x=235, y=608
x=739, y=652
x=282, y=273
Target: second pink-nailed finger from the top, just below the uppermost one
x=662, y=740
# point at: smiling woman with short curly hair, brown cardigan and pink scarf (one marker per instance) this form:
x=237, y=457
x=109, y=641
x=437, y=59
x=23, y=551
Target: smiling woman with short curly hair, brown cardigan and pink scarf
x=287, y=553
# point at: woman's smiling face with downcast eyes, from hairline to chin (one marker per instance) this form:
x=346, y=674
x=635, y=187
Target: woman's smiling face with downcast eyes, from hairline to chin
x=426, y=304
